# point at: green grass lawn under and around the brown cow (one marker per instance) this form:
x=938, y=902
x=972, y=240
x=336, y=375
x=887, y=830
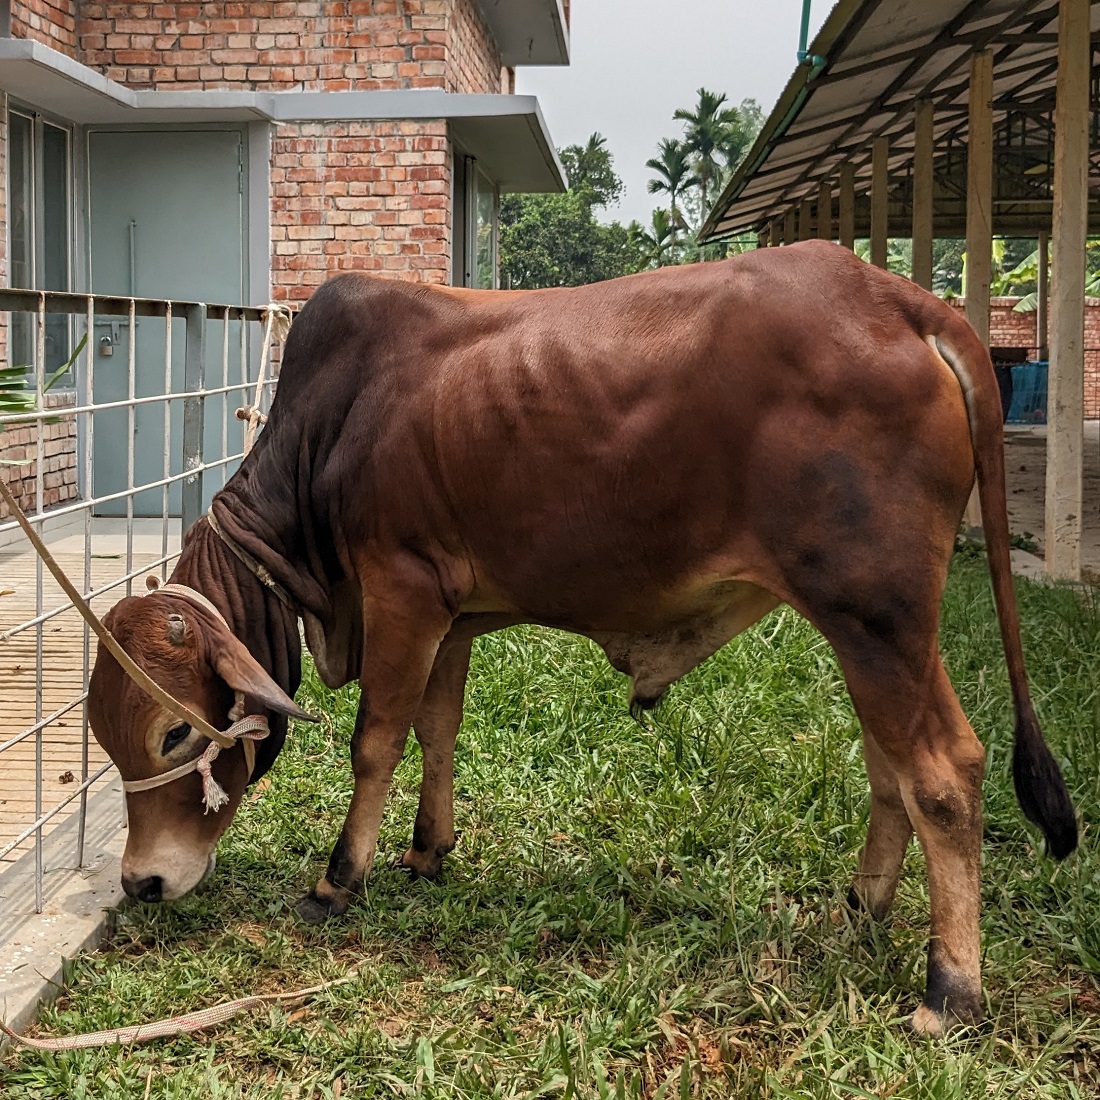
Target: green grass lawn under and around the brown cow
x=630, y=912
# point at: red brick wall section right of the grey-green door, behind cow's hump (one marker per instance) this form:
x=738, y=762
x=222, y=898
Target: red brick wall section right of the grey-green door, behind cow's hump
x=362, y=196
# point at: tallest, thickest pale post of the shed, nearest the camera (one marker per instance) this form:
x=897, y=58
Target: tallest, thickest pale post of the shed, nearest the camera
x=1065, y=435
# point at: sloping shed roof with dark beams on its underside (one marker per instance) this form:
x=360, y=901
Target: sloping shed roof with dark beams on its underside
x=865, y=71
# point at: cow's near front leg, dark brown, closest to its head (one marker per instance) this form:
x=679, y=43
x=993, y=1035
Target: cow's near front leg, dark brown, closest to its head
x=402, y=639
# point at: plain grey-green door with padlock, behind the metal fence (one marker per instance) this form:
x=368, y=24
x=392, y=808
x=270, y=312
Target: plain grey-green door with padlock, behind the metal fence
x=167, y=221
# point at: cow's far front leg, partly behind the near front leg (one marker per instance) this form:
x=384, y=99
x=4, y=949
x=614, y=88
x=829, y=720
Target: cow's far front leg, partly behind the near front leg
x=437, y=725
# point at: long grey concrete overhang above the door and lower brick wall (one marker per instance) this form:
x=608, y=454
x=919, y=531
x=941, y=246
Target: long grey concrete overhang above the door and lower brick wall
x=508, y=135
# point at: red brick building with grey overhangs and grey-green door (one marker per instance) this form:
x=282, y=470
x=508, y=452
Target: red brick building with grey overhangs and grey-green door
x=245, y=152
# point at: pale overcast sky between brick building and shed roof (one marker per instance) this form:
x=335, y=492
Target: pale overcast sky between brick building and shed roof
x=635, y=62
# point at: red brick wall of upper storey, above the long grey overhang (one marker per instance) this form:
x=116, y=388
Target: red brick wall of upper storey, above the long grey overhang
x=333, y=47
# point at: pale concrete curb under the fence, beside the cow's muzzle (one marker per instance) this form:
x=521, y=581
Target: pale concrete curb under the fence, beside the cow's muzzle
x=78, y=908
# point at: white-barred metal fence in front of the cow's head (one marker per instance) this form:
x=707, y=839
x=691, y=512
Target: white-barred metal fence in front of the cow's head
x=119, y=456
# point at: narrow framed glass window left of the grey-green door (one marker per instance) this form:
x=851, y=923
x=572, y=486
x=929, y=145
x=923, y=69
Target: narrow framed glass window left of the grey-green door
x=40, y=204
